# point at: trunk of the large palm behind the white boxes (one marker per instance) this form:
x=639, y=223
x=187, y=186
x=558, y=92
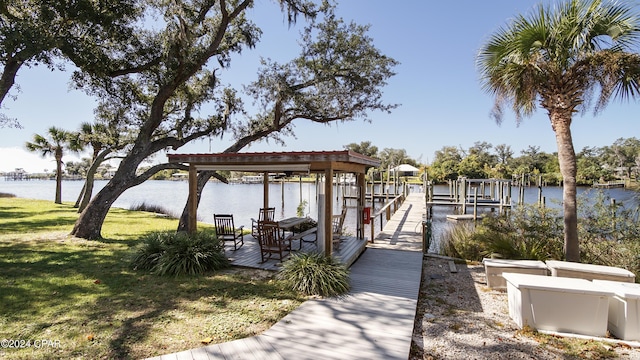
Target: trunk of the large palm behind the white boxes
x=568, y=168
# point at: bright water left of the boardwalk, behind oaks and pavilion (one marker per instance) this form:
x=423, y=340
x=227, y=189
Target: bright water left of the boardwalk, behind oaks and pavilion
x=241, y=200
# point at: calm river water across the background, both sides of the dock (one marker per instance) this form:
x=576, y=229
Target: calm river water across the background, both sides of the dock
x=244, y=200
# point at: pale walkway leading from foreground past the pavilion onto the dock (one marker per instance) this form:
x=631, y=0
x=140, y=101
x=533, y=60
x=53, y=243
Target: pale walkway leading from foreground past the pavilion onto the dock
x=374, y=321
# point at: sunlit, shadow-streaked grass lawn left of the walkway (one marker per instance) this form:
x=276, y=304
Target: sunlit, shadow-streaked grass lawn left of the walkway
x=74, y=298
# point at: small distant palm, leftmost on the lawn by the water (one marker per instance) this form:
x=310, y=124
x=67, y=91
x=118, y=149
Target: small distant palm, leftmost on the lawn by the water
x=55, y=143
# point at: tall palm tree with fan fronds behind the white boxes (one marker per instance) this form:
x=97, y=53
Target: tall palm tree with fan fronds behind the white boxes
x=559, y=57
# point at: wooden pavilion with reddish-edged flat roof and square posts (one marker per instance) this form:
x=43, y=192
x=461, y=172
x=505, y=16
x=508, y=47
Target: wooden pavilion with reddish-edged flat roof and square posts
x=322, y=162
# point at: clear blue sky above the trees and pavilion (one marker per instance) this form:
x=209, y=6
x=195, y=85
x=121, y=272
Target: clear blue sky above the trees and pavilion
x=436, y=84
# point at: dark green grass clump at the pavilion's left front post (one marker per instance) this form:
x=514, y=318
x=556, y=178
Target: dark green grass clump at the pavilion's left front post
x=179, y=253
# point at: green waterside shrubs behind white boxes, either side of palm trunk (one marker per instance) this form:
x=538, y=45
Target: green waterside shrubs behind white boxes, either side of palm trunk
x=609, y=234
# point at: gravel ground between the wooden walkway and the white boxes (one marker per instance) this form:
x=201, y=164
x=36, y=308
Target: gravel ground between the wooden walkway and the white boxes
x=459, y=317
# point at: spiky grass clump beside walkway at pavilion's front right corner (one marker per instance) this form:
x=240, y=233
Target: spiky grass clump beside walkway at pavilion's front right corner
x=315, y=274
